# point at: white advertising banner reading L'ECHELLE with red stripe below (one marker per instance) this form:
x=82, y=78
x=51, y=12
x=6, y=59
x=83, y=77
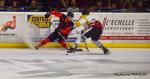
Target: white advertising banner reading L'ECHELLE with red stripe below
x=126, y=27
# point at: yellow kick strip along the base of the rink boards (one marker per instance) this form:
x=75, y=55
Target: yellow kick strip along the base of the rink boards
x=82, y=45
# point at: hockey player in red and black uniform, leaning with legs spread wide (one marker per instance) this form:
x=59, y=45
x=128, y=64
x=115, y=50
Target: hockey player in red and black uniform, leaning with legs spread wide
x=61, y=32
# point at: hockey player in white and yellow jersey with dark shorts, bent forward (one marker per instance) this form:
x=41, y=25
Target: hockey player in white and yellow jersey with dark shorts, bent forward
x=93, y=29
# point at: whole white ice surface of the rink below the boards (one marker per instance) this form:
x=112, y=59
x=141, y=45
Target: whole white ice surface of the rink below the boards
x=122, y=63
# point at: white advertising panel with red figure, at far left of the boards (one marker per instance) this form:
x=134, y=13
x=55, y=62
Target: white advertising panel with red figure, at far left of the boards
x=11, y=26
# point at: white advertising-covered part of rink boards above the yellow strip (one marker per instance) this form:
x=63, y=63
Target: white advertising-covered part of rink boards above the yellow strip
x=120, y=27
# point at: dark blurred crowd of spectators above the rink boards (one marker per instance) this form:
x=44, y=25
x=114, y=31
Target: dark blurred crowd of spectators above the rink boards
x=76, y=5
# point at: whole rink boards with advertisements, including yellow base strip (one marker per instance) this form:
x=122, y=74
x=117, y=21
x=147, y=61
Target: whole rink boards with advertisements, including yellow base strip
x=122, y=30
